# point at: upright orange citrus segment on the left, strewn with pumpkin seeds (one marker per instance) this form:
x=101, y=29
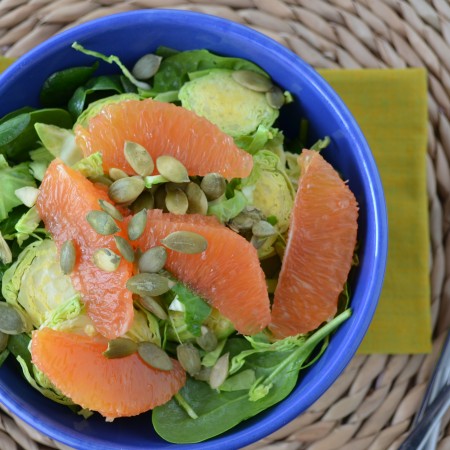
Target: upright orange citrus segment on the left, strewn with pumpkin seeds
x=64, y=200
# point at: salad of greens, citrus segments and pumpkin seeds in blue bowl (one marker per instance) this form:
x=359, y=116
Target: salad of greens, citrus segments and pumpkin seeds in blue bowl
x=156, y=262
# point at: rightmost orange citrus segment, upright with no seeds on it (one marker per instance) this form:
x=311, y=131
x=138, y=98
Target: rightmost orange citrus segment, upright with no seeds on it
x=319, y=251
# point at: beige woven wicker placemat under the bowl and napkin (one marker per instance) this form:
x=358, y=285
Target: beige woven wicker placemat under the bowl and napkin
x=373, y=403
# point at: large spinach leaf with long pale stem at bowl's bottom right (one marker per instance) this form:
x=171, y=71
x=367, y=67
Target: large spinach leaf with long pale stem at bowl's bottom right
x=276, y=374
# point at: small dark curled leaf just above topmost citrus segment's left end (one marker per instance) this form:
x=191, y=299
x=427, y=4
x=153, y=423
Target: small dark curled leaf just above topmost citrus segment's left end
x=103, y=85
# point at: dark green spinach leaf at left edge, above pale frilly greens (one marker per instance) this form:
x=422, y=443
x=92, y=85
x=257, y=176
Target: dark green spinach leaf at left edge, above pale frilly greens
x=18, y=136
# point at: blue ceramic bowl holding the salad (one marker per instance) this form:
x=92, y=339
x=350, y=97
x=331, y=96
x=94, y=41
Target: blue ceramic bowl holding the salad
x=129, y=36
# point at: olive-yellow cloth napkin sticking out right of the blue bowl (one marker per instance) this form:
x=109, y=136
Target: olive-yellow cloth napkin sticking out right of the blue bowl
x=390, y=106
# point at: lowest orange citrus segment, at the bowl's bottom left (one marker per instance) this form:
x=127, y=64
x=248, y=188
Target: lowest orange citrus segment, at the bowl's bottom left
x=118, y=387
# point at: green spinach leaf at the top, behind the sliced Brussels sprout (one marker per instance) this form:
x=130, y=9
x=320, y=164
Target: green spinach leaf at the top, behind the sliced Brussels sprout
x=174, y=70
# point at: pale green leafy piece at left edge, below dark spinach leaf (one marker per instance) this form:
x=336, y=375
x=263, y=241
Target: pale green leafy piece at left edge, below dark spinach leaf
x=12, y=178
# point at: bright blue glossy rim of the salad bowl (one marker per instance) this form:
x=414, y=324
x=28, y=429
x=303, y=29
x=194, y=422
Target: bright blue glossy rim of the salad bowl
x=257, y=429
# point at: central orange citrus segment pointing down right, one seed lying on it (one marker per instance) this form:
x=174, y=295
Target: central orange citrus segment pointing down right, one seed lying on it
x=227, y=274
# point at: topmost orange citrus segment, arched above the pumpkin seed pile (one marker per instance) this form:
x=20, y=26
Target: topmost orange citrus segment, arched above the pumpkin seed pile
x=163, y=129
